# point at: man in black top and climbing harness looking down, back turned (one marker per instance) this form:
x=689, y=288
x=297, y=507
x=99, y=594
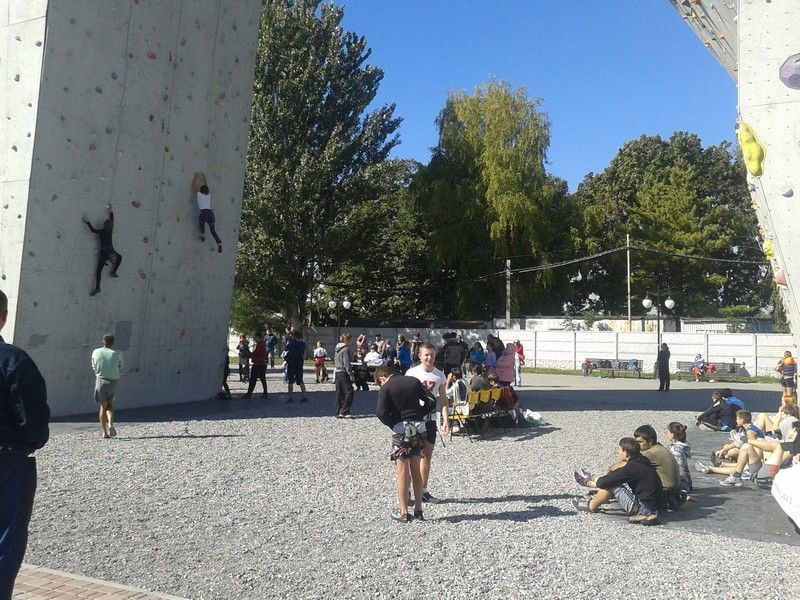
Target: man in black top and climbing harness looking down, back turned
x=403, y=403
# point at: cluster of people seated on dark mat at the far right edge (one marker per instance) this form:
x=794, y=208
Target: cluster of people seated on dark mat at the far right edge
x=758, y=448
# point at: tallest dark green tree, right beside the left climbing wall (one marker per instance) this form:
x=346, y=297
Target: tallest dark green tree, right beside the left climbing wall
x=314, y=153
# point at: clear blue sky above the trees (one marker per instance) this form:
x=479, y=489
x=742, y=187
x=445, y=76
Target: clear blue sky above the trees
x=607, y=71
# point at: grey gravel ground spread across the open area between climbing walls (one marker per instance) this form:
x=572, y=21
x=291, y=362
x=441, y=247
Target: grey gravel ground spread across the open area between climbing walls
x=285, y=501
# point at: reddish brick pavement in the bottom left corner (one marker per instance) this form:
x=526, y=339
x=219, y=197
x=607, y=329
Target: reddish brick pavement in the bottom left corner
x=37, y=583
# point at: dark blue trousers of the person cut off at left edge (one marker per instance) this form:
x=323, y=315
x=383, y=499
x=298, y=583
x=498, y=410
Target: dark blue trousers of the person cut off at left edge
x=17, y=489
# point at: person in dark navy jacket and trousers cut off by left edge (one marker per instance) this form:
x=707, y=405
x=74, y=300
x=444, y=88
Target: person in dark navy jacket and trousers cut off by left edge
x=24, y=428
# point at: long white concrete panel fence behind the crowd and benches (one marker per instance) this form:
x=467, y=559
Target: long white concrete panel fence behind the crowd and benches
x=567, y=349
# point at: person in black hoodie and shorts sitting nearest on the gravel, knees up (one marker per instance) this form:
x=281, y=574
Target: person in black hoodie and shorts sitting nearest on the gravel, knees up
x=633, y=482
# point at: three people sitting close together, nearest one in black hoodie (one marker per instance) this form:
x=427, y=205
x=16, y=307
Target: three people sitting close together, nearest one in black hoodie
x=647, y=480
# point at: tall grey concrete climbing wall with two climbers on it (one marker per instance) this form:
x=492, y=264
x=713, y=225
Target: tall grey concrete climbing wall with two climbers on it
x=120, y=102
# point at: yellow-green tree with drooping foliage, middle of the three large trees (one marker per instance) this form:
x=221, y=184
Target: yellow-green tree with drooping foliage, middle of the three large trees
x=486, y=196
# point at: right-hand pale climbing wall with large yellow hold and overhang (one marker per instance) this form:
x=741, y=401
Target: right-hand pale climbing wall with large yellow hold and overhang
x=765, y=62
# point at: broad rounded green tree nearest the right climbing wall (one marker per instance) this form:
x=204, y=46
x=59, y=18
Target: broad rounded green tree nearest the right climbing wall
x=676, y=197
